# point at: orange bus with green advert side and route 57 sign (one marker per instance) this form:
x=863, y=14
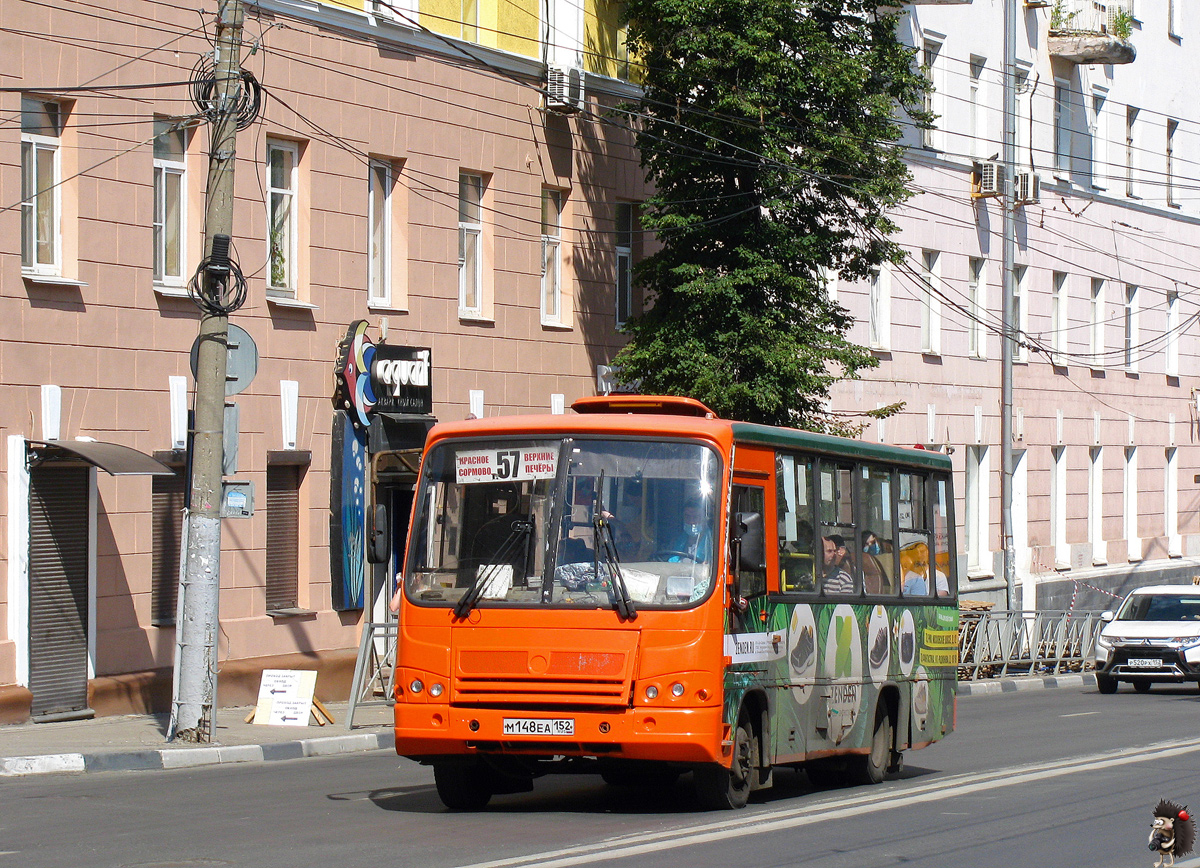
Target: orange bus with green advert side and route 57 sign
x=641, y=590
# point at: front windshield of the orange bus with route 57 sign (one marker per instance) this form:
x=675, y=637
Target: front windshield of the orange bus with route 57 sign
x=566, y=523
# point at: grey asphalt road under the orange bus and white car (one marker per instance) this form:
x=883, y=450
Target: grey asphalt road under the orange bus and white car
x=1061, y=777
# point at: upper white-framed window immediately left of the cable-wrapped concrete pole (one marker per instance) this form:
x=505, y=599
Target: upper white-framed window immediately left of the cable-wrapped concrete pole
x=170, y=203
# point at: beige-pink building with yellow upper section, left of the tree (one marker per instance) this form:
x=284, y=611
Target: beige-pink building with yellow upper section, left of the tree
x=404, y=170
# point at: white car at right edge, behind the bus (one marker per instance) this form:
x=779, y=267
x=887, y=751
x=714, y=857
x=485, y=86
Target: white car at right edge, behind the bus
x=1154, y=637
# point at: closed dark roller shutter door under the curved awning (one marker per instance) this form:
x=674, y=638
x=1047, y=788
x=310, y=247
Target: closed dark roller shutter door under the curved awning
x=58, y=590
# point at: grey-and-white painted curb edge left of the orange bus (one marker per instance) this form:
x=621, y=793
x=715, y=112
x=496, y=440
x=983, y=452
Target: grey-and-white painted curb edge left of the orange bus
x=191, y=758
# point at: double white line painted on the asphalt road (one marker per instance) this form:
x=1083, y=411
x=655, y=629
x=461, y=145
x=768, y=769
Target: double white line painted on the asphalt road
x=625, y=847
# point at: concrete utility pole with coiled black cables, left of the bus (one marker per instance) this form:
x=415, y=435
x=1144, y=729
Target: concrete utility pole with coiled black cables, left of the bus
x=197, y=630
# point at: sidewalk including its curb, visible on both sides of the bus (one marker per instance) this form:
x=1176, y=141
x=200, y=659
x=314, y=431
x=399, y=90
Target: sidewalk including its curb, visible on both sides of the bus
x=139, y=743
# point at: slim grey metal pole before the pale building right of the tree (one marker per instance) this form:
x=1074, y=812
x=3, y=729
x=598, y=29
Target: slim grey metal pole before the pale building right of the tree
x=1009, y=339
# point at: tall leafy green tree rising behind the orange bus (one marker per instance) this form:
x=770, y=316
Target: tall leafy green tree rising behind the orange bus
x=769, y=130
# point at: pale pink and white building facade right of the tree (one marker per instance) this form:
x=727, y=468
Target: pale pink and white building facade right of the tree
x=1105, y=379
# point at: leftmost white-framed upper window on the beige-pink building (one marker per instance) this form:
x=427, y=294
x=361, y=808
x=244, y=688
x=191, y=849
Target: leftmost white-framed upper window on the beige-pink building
x=41, y=177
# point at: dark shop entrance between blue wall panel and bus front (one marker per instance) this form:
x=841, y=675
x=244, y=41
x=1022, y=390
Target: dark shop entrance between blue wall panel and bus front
x=394, y=476
